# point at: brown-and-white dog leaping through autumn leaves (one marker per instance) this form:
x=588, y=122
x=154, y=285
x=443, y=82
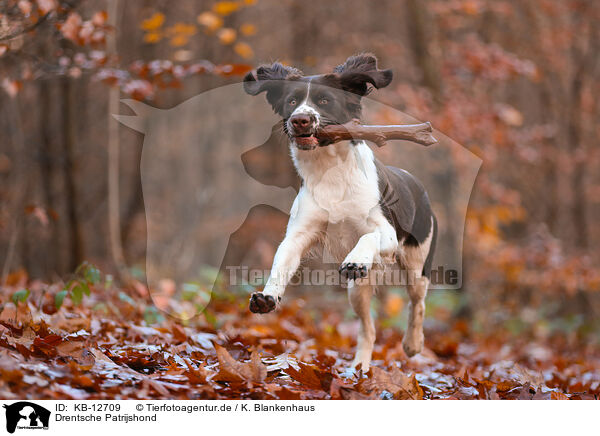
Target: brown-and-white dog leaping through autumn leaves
x=366, y=214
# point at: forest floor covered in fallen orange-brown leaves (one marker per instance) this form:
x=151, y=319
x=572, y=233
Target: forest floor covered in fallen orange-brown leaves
x=112, y=343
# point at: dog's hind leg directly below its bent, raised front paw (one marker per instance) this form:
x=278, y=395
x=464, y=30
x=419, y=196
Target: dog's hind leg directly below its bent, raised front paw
x=360, y=299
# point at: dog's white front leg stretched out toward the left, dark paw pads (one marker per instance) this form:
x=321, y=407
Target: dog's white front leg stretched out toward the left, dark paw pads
x=307, y=222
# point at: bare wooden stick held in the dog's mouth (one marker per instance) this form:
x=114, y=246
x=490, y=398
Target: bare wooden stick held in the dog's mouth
x=419, y=133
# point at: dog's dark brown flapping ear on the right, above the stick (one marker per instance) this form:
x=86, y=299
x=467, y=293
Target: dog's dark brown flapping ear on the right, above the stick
x=361, y=70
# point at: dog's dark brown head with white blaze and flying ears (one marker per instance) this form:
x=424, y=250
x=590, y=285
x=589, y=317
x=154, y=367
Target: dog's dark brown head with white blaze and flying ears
x=307, y=103
